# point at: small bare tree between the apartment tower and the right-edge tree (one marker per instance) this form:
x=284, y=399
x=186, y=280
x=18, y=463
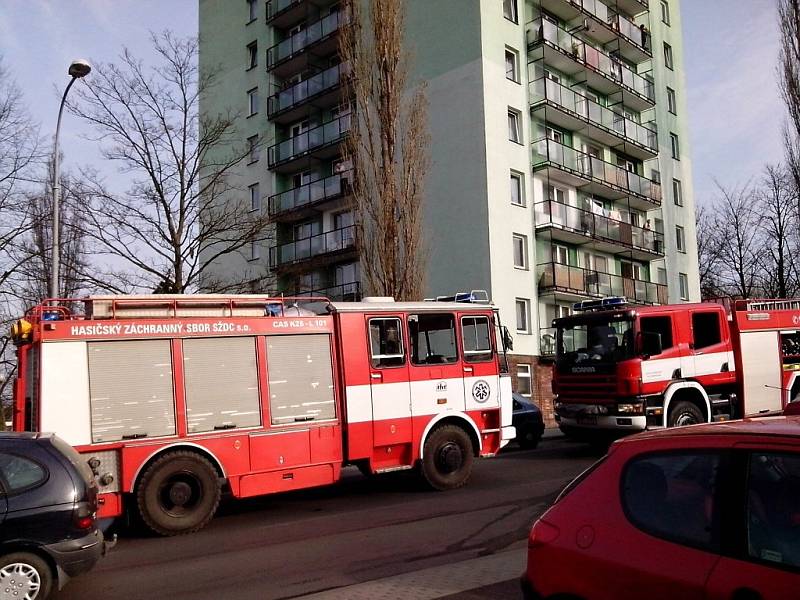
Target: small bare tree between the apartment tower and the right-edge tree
x=737, y=224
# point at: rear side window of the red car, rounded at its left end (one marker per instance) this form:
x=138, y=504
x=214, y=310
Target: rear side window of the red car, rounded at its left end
x=671, y=496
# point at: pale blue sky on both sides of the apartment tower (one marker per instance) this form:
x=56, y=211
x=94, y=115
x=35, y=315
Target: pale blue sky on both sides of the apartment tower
x=730, y=53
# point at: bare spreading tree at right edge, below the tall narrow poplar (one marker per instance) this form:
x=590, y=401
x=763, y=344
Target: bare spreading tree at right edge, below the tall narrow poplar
x=778, y=206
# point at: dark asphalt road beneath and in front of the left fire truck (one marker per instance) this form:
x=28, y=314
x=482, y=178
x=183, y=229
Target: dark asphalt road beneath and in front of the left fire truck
x=360, y=530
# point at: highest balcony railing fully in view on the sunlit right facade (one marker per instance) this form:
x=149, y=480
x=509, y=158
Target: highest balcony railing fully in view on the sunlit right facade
x=543, y=30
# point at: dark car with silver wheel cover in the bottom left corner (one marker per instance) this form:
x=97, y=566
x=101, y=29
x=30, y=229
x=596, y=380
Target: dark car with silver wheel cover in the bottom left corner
x=48, y=504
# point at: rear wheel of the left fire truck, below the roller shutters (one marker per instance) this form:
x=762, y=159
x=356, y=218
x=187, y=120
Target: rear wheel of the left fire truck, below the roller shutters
x=178, y=493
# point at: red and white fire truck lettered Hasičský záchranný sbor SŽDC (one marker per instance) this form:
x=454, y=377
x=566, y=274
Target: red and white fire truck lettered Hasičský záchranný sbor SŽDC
x=172, y=398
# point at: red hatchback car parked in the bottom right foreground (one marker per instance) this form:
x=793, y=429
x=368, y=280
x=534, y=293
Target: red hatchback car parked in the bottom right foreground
x=707, y=511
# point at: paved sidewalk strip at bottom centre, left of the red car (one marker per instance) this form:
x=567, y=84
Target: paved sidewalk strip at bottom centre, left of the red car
x=435, y=582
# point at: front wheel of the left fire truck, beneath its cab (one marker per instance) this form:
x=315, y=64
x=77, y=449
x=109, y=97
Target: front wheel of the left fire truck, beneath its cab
x=448, y=457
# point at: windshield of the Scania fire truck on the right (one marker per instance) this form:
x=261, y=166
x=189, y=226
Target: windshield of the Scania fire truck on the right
x=594, y=342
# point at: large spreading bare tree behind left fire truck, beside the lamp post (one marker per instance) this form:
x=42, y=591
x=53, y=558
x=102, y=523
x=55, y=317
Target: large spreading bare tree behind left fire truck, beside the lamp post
x=182, y=211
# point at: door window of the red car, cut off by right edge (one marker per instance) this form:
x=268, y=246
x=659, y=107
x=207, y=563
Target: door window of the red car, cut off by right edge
x=773, y=508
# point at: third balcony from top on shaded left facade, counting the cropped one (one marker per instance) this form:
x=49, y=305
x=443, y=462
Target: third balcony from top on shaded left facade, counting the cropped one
x=319, y=91
